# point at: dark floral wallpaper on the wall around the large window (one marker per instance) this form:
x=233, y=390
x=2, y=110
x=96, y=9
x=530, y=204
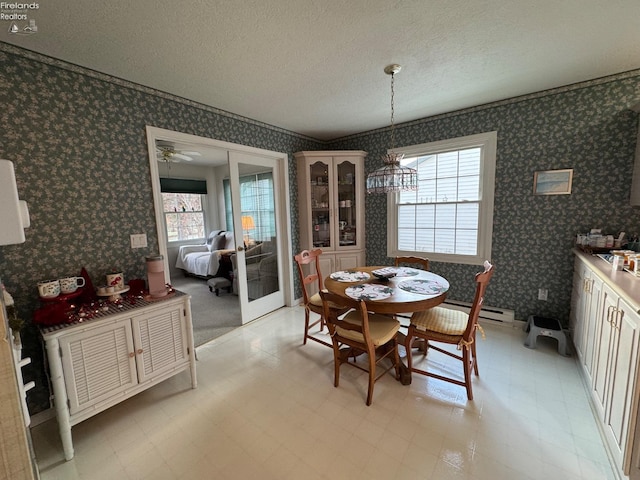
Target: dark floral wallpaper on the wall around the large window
x=587, y=127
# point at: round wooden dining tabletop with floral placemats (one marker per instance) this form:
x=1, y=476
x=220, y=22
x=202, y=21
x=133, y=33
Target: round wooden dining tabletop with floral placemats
x=402, y=298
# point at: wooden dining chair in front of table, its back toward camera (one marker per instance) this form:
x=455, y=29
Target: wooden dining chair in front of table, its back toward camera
x=362, y=332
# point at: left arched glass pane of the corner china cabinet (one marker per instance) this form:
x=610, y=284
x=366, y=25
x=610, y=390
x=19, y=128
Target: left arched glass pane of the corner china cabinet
x=321, y=203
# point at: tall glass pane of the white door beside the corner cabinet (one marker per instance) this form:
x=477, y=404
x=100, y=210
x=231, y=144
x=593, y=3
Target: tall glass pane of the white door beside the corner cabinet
x=257, y=203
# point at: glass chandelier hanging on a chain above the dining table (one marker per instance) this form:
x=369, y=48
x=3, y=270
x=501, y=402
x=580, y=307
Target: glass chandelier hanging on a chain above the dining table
x=392, y=177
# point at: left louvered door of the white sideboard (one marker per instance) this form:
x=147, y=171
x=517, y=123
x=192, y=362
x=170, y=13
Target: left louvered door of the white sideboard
x=98, y=364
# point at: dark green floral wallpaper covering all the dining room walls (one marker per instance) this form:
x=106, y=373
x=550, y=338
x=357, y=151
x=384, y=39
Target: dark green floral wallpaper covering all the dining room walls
x=77, y=140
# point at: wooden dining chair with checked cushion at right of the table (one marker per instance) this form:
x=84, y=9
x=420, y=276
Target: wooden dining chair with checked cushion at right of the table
x=443, y=325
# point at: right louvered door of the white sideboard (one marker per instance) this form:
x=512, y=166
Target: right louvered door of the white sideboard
x=161, y=342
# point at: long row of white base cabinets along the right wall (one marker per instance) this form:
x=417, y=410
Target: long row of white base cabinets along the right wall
x=605, y=325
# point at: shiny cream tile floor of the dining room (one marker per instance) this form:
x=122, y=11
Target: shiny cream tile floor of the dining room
x=266, y=408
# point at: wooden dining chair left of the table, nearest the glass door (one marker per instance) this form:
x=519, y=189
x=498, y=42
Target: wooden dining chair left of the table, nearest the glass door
x=312, y=301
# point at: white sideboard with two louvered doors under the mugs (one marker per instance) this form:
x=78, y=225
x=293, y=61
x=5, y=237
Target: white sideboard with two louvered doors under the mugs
x=98, y=363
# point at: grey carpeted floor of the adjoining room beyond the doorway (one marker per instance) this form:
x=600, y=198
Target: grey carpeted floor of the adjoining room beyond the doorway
x=212, y=316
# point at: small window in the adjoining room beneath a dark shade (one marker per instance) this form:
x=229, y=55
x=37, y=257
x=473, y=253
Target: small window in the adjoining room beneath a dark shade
x=184, y=216
